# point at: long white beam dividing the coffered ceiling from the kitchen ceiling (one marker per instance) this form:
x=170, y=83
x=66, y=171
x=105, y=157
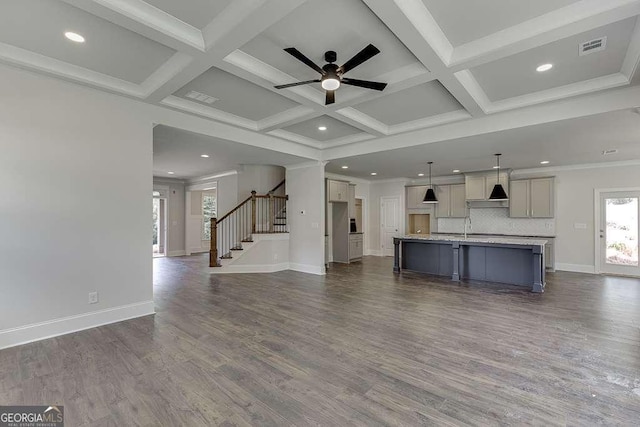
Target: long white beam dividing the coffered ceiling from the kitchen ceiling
x=587, y=105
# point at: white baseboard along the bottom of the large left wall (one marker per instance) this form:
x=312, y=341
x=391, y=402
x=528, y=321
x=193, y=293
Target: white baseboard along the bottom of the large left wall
x=66, y=325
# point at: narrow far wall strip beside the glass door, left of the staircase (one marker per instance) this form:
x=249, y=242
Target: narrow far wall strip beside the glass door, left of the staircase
x=175, y=215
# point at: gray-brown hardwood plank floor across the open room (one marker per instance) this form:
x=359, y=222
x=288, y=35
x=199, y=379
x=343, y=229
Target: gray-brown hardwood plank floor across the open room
x=361, y=346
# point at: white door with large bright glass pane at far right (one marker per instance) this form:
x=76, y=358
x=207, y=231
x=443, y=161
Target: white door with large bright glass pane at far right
x=619, y=233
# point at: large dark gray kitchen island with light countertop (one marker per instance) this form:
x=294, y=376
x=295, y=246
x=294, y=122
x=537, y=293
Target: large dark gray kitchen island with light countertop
x=499, y=260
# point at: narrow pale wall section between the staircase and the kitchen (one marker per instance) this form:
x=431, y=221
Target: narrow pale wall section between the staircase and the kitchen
x=305, y=187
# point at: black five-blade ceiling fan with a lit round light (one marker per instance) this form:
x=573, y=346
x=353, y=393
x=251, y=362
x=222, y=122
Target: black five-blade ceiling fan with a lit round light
x=332, y=75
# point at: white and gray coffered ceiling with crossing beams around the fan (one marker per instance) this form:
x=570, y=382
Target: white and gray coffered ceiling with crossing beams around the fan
x=455, y=69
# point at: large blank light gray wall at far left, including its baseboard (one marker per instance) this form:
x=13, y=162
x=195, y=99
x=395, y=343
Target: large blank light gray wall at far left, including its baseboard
x=76, y=168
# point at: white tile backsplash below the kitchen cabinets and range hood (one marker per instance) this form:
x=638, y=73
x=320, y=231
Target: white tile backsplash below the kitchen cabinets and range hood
x=497, y=221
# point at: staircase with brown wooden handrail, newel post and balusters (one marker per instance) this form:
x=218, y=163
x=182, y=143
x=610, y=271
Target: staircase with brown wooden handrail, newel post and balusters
x=257, y=215
